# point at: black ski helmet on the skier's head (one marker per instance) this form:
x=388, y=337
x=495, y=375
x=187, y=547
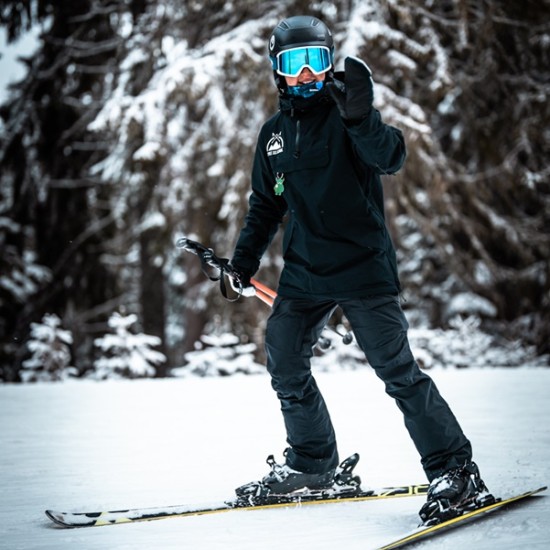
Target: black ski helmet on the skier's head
x=297, y=32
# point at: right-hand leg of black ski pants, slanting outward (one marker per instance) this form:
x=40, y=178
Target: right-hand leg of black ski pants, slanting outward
x=380, y=328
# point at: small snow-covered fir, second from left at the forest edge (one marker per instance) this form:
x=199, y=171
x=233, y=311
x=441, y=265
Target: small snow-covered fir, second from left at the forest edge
x=124, y=354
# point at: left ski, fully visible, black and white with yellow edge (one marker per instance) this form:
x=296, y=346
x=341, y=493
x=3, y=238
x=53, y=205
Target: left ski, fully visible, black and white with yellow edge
x=91, y=519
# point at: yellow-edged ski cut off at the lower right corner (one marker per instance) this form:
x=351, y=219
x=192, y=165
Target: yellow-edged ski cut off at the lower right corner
x=425, y=531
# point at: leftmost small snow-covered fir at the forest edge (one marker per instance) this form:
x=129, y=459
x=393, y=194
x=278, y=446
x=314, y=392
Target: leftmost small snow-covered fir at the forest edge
x=50, y=352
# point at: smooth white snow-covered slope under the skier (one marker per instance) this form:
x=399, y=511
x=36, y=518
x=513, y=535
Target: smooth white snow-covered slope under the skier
x=107, y=445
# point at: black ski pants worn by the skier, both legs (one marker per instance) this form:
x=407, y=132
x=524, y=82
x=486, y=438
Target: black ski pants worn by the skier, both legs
x=380, y=328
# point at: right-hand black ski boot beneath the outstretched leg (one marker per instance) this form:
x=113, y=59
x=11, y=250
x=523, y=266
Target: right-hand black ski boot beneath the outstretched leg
x=457, y=491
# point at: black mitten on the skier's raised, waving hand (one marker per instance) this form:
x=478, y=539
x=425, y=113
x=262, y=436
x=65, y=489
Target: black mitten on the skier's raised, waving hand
x=354, y=98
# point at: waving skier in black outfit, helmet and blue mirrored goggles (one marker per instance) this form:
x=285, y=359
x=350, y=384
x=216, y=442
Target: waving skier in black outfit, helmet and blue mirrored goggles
x=318, y=161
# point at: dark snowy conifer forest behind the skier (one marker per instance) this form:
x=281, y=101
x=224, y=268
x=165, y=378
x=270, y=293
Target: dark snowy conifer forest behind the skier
x=136, y=124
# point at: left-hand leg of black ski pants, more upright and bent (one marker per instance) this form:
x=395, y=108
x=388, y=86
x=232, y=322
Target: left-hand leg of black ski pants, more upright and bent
x=292, y=330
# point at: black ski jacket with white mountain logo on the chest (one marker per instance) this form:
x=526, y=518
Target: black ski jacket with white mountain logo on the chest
x=336, y=243
